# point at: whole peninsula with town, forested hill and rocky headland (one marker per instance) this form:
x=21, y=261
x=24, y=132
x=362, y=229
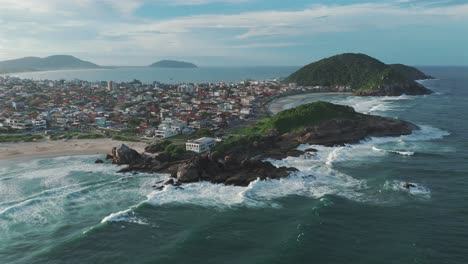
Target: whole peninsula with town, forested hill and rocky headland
x=220, y=132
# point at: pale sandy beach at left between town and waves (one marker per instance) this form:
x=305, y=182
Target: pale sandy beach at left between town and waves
x=49, y=148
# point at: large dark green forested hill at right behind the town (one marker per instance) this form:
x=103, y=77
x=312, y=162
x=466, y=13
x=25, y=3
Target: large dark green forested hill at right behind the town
x=364, y=74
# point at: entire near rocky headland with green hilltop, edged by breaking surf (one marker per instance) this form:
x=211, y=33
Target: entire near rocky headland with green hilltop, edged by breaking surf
x=240, y=159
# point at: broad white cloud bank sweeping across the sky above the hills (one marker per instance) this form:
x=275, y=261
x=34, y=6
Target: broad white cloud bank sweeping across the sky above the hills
x=95, y=27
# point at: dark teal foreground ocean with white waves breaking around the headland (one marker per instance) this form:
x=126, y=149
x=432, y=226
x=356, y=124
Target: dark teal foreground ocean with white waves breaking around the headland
x=344, y=206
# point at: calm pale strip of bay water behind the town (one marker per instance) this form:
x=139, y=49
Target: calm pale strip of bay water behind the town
x=148, y=75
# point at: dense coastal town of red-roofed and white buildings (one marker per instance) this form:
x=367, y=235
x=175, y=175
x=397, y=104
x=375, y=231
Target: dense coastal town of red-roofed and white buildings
x=135, y=110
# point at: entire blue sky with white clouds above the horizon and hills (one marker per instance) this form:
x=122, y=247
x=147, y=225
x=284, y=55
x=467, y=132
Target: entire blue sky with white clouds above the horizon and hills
x=236, y=32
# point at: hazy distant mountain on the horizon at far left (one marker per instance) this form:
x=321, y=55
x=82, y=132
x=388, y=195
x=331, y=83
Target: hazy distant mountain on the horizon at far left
x=55, y=62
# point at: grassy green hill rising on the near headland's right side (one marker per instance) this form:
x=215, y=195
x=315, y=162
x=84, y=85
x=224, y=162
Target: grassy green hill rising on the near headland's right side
x=318, y=123
